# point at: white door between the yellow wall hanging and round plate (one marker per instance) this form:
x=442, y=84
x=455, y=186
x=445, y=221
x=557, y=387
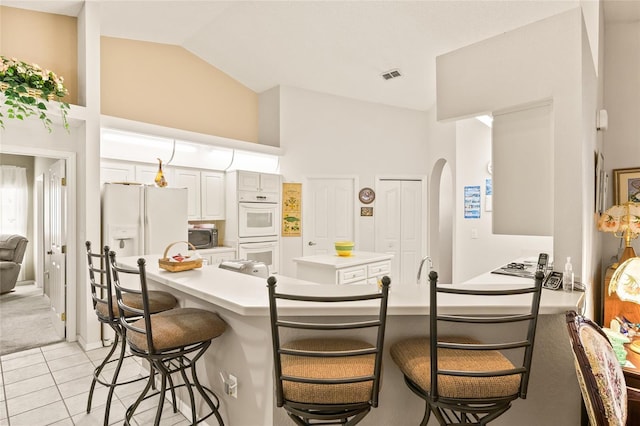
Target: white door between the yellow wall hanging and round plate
x=328, y=214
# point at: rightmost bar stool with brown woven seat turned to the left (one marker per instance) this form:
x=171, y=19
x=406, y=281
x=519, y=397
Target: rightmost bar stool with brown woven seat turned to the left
x=464, y=380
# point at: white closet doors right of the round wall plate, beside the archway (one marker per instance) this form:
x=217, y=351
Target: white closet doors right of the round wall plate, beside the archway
x=399, y=222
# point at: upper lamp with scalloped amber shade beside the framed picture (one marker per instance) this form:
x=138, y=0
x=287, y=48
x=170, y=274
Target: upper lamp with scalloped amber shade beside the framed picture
x=624, y=222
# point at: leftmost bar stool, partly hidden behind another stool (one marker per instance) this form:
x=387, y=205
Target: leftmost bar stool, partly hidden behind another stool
x=106, y=308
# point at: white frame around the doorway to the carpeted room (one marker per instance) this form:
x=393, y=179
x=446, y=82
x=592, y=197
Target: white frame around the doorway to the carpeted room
x=70, y=158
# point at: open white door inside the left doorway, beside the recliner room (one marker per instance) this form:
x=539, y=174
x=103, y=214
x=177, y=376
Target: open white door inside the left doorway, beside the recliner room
x=57, y=240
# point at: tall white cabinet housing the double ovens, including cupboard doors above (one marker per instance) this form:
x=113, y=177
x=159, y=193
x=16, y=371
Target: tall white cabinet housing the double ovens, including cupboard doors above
x=253, y=216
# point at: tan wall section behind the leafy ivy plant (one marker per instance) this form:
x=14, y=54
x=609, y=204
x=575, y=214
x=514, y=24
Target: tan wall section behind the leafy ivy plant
x=46, y=39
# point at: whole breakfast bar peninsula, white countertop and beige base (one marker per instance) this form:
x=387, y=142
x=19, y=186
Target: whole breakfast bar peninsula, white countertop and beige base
x=244, y=350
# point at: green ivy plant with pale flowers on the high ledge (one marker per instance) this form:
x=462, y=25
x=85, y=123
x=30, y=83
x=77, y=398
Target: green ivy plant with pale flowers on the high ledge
x=27, y=91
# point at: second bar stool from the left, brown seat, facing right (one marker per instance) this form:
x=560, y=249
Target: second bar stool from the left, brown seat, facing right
x=172, y=341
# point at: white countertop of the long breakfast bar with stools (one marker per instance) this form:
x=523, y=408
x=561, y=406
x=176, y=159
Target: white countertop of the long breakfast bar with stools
x=247, y=295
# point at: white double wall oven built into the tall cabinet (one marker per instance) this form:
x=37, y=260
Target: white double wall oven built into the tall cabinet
x=258, y=226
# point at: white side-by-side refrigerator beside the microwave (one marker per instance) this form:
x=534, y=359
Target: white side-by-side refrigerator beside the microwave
x=139, y=220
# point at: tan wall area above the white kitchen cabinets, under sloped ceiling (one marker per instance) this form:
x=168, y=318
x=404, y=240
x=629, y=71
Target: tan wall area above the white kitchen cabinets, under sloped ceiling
x=169, y=86
